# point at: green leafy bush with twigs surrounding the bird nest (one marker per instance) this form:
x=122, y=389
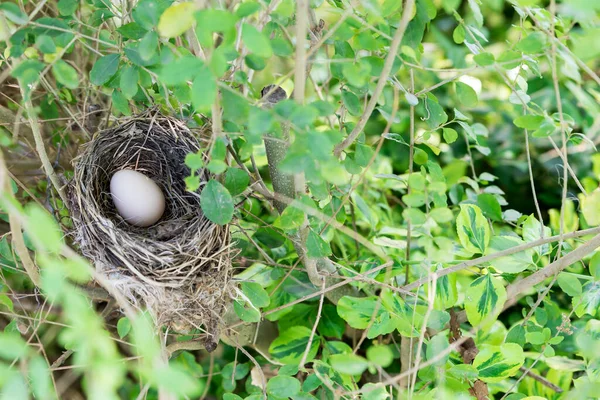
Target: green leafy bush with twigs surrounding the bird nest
x=434, y=179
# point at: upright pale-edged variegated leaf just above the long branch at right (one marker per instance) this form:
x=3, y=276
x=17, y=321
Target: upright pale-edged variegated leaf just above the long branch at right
x=473, y=229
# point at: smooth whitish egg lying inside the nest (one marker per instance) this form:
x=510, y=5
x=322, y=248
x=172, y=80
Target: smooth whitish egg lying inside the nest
x=138, y=199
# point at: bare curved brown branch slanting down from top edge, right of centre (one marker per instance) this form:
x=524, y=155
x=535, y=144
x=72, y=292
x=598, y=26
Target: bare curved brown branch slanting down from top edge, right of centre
x=385, y=72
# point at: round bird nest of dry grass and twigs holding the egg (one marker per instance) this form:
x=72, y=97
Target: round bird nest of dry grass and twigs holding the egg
x=178, y=268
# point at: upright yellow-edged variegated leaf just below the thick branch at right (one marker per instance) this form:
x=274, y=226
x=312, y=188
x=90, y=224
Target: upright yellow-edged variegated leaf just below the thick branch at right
x=484, y=301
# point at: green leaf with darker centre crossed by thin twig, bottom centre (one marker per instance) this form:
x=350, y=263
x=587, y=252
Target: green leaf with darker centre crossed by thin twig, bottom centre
x=289, y=347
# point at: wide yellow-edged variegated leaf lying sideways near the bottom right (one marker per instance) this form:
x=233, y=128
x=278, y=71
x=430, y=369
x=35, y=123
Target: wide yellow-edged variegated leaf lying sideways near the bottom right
x=497, y=363
